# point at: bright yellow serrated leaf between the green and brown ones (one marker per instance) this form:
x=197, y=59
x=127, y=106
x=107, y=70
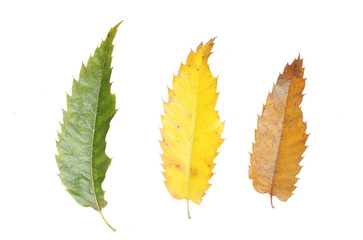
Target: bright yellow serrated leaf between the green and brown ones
x=191, y=128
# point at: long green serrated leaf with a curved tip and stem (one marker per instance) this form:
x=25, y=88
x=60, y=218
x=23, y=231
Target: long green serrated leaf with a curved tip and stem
x=81, y=158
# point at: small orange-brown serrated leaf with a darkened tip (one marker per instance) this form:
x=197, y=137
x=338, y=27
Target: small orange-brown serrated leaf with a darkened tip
x=280, y=136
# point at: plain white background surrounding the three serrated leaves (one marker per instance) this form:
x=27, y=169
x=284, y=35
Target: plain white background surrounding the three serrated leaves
x=42, y=46
